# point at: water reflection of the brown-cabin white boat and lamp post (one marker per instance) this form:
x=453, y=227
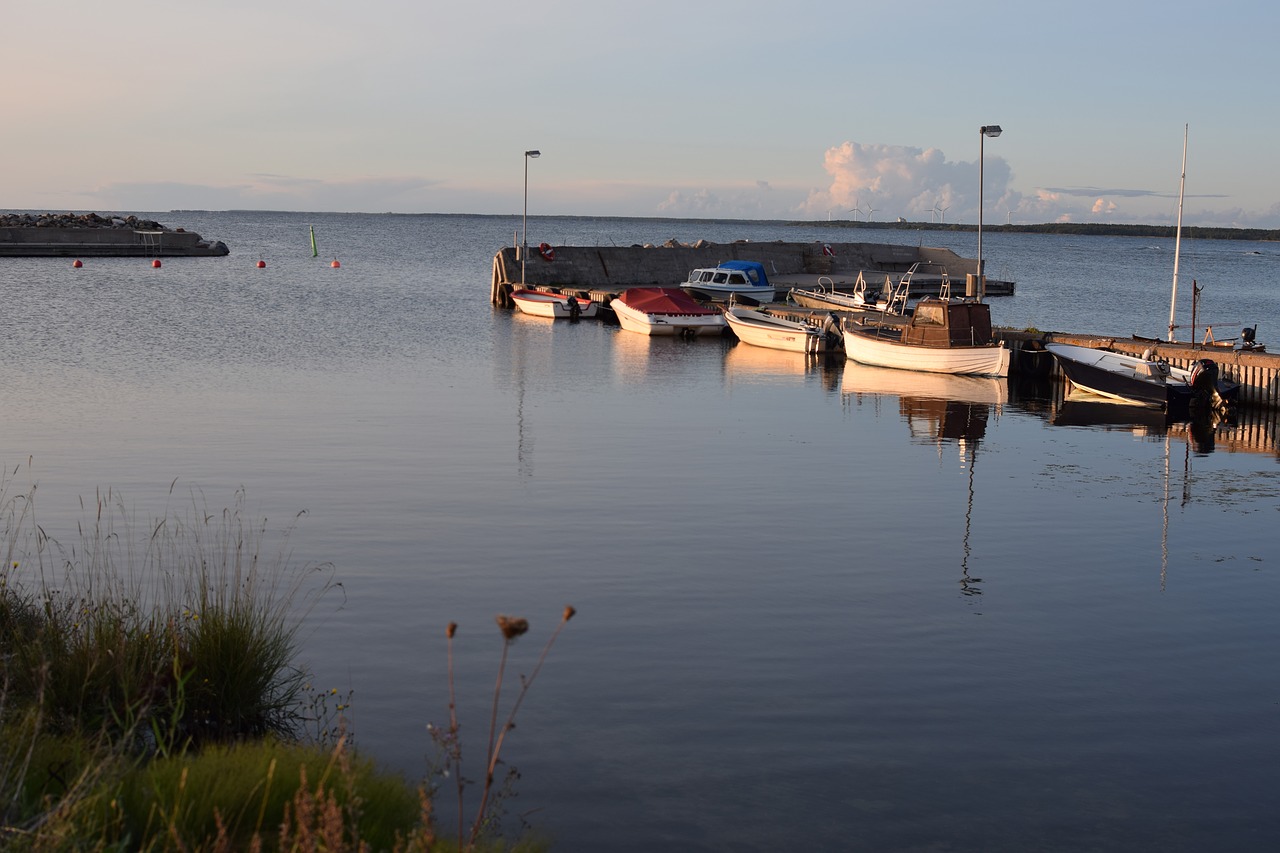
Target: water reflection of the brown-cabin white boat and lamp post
x=939, y=409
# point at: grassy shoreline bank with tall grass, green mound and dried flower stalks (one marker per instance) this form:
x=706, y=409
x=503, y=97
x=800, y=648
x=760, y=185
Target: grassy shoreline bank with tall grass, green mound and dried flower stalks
x=150, y=699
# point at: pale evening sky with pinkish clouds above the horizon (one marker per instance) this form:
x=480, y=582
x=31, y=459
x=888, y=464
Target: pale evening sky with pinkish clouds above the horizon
x=719, y=110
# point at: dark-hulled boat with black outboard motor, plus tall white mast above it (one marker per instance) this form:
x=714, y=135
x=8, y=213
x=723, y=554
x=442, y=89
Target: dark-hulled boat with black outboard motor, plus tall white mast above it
x=1149, y=380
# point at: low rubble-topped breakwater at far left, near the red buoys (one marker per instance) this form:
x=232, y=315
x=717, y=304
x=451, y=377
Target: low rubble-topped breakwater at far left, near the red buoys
x=93, y=235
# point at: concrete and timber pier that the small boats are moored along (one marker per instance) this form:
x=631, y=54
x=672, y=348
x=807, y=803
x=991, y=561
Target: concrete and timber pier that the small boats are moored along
x=601, y=273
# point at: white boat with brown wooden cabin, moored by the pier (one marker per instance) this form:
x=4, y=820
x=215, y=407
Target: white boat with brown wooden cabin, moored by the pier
x=944, y=336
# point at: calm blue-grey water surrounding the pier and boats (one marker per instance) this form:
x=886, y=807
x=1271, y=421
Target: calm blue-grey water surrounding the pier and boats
x=819, y=608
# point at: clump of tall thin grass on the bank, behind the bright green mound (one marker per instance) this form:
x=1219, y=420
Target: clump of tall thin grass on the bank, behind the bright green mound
x=186, y=640
